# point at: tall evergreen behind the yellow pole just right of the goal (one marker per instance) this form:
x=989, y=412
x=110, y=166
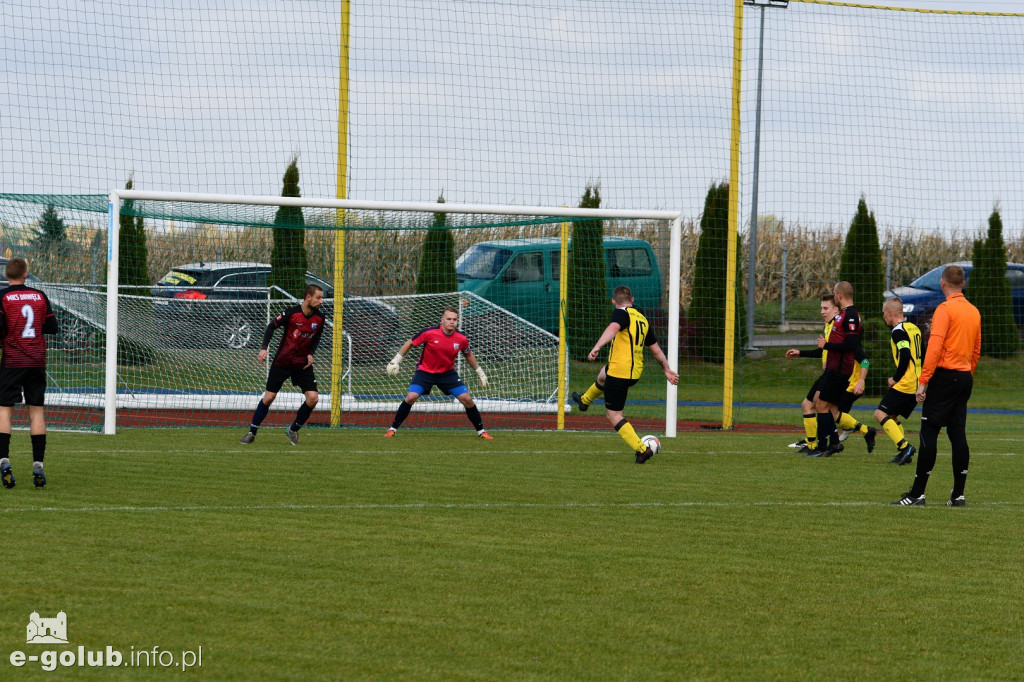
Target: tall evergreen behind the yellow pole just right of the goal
x=707, y=311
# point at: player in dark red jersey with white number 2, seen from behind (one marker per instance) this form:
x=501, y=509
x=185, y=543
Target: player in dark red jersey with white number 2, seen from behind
x=25, y=317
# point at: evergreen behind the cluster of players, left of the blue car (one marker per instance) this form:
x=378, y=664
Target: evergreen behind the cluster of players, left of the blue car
x=862, y=266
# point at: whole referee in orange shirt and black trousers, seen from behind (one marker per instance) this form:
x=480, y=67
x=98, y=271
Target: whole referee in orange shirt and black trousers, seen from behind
x=945, y=387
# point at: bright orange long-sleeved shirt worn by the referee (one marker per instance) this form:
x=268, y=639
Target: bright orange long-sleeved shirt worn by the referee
x=956, y=339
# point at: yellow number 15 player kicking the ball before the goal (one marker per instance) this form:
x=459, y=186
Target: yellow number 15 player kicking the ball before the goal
x=629, y=334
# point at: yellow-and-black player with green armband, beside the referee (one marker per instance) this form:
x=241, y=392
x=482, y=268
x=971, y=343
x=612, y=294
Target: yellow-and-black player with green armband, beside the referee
x=902, y=398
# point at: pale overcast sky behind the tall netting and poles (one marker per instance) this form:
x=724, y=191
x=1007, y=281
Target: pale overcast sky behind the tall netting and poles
x=524, y=103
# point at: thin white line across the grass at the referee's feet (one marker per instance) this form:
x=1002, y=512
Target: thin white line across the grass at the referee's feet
x=568, y=506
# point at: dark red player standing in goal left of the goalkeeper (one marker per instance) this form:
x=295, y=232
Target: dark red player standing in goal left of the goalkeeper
x=294, y=360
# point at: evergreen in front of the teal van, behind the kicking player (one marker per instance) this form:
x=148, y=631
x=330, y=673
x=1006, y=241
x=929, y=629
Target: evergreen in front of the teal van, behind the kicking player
x=587, y=309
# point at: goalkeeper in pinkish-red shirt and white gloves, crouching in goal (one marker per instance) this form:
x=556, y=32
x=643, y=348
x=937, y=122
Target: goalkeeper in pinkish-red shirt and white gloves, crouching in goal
x=442, y=346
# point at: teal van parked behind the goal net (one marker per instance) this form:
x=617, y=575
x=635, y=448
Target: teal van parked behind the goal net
x=523, y=275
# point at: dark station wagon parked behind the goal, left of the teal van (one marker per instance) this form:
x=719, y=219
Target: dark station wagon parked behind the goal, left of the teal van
x=233, y=303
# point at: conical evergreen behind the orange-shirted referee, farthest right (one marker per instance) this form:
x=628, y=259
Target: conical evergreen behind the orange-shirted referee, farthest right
x=991, y=293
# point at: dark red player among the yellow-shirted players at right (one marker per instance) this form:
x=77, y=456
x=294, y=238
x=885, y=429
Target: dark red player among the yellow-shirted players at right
x=843, y=346
